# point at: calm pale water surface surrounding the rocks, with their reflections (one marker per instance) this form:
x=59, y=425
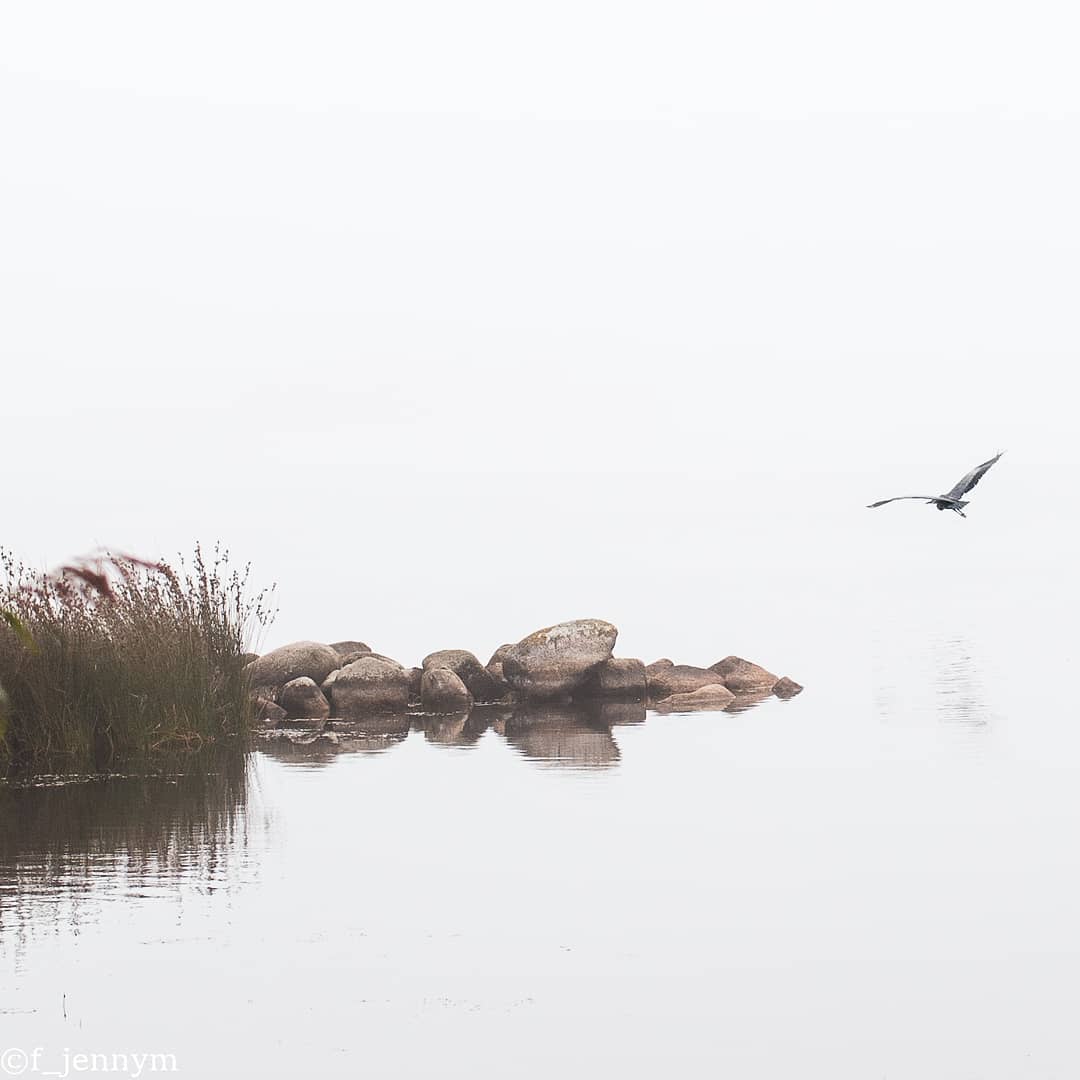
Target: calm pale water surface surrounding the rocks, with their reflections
x=880, y=879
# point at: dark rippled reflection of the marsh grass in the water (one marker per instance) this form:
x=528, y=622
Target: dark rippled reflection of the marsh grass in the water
x=61, y=843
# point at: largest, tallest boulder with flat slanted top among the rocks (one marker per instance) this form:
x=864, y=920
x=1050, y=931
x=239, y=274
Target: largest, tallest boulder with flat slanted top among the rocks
x=558, y=660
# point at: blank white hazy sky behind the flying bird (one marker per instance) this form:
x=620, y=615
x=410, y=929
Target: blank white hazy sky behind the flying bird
x=458, y=320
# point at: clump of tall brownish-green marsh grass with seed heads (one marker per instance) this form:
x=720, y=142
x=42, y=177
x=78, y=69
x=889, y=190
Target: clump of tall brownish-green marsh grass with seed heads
x=113, y=657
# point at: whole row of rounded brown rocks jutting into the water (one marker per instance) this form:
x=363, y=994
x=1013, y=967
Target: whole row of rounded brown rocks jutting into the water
x=570, y=663
